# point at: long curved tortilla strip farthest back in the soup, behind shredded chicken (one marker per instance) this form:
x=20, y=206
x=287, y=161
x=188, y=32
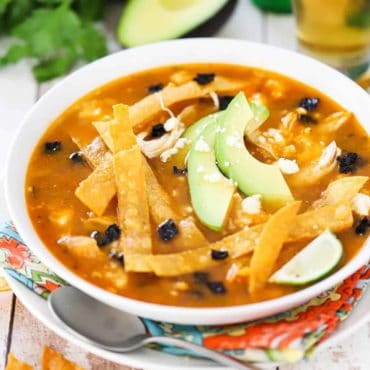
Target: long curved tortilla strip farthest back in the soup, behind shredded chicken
x=146, y=109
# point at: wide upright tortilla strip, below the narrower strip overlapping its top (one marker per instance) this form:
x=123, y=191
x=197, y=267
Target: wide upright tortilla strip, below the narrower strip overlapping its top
x=133, y=210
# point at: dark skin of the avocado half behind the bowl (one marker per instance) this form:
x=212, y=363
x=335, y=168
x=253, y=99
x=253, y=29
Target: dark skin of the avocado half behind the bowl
x=213, y=25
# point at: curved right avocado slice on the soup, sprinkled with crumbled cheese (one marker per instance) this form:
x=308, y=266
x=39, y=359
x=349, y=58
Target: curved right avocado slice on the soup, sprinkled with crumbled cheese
x=233, y=158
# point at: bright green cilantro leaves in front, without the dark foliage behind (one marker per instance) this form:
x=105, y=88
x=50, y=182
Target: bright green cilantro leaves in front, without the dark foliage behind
x=56, y=38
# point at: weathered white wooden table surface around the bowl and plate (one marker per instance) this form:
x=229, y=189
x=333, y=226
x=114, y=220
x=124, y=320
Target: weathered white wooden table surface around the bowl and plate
x=24, y=335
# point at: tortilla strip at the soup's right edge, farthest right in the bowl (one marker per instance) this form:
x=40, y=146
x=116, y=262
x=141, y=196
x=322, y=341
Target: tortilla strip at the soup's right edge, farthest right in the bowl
x=340, y=191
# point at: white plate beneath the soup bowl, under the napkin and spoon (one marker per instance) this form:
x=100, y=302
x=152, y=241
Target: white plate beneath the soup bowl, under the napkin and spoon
x=155, y=360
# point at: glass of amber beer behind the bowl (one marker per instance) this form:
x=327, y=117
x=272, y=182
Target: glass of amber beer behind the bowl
x=335, y=31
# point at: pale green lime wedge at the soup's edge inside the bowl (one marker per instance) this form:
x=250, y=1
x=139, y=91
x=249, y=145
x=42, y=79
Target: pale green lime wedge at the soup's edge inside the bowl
x=312, y=263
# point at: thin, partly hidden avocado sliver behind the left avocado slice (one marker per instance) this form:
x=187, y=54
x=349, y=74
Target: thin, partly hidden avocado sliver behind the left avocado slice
x=192, y=133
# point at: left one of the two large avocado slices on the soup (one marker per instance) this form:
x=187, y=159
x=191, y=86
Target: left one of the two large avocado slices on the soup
x=211, y=193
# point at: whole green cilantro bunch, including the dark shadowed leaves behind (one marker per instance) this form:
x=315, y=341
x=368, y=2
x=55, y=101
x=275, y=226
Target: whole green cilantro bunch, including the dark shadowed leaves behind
x=52, y=33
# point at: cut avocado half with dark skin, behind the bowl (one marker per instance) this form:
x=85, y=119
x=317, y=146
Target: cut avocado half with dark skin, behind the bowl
x=146, y=21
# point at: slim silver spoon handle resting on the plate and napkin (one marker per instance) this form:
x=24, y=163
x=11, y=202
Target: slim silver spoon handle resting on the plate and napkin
x=211, y=354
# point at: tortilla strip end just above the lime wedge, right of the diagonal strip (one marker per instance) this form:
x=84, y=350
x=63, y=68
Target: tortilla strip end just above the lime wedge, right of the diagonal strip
x=308, y=225
